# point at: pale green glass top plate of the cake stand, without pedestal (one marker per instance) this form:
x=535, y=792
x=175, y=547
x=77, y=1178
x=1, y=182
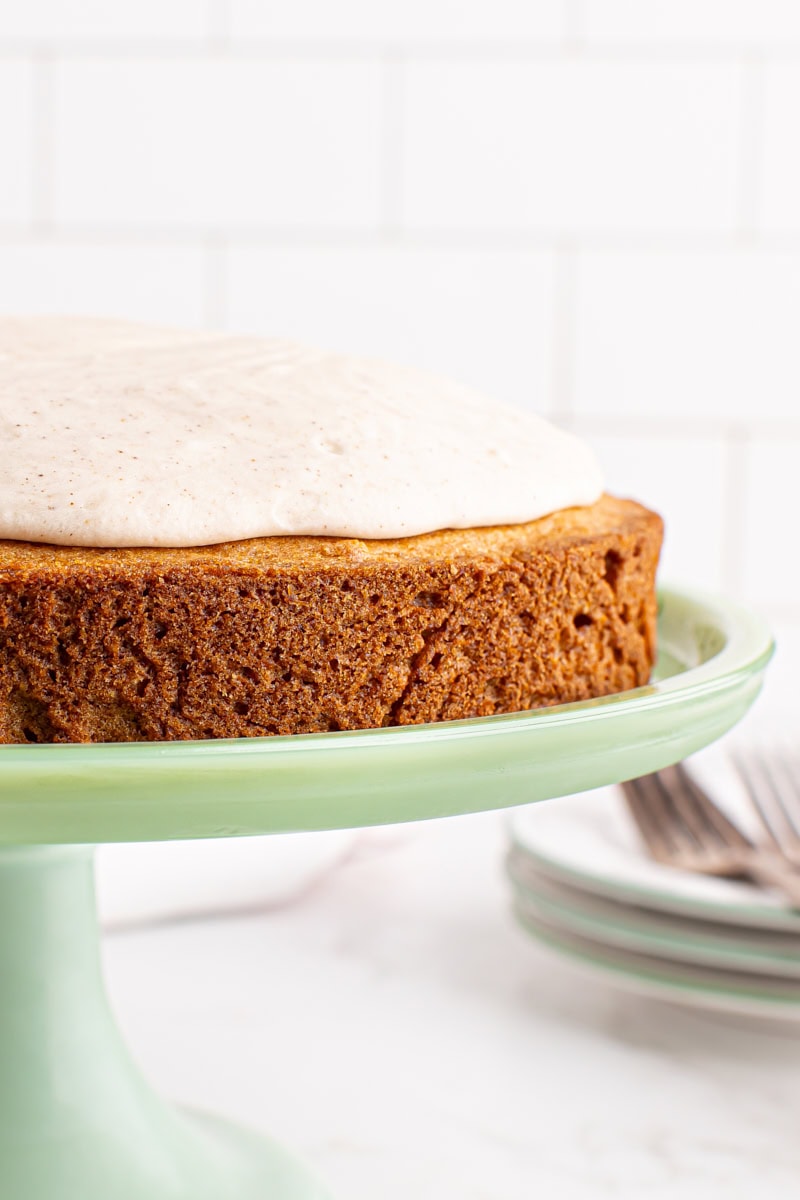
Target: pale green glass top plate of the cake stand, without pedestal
x=713, y=656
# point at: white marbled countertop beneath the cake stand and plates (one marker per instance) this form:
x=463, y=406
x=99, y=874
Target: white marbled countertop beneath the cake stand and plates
x=400, y=1033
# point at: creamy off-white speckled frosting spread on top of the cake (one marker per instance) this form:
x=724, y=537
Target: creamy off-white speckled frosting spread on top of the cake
x=124, y=435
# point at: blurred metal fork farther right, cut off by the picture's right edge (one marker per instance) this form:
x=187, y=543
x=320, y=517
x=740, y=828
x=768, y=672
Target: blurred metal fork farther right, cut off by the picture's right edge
x=774, y=790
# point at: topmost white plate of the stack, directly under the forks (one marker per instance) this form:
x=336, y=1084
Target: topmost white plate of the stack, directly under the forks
x=591, y=842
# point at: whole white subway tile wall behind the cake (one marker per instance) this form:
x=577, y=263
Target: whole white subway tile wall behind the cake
x=590, y=208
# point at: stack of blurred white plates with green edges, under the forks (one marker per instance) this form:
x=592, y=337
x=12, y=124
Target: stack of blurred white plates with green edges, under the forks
x=584, y=885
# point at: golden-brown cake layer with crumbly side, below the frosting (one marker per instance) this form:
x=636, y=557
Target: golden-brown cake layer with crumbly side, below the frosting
x=296, y=635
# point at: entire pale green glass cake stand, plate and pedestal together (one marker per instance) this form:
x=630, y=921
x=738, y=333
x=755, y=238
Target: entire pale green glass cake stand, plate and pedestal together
x=77, y=1120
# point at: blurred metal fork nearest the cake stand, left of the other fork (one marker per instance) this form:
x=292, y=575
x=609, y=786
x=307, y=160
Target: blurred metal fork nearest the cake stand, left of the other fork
x=683, y=827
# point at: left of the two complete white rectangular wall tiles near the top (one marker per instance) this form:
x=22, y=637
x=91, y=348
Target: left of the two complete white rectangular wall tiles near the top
x=218, y=143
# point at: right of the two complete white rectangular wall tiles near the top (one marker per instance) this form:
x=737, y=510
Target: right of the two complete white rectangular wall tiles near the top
x=572, y=146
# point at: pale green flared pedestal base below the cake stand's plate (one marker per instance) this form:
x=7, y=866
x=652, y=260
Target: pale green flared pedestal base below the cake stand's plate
x=77, y=1120
